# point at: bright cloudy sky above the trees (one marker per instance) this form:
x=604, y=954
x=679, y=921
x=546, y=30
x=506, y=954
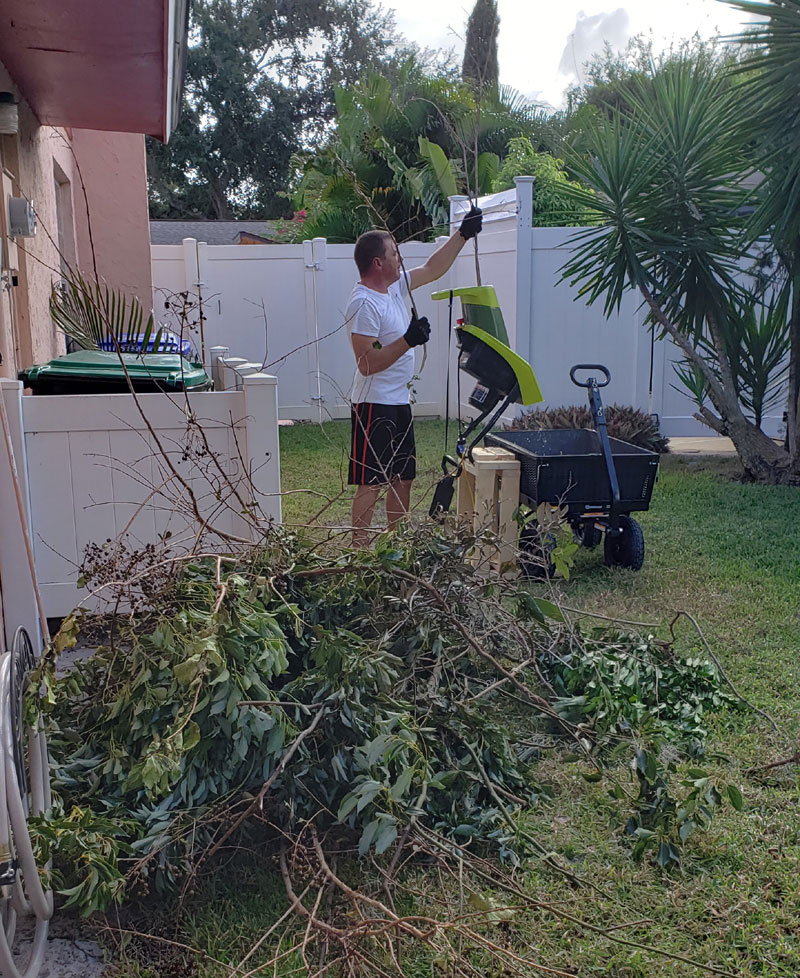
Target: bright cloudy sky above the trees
x=542, y=46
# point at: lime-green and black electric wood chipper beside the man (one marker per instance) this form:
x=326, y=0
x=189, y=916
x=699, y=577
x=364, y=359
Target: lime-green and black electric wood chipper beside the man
x=503, y=377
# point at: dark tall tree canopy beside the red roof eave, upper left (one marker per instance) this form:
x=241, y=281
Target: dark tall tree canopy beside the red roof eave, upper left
x=259, y=86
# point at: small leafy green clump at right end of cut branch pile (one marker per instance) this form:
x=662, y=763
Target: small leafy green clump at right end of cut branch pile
x=636, y=686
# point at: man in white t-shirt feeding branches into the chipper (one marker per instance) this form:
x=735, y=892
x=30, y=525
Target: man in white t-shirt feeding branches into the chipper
x=383, y=453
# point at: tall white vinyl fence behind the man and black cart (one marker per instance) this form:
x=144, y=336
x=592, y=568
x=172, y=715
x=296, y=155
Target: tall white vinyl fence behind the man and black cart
x=282, y=308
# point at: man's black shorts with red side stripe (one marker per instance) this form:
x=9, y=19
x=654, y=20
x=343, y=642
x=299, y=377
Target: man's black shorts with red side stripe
x=383, y=447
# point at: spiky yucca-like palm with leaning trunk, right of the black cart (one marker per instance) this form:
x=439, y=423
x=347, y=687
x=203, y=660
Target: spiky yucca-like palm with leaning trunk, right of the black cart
x=668, y=188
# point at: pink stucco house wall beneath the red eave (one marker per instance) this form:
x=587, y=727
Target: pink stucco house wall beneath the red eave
x=41, y=163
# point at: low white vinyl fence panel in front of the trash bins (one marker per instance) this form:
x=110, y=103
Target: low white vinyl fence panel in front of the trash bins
x=92, y=470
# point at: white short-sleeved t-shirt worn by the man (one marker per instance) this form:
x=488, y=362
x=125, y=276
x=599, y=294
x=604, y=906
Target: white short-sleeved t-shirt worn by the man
x=385, y=317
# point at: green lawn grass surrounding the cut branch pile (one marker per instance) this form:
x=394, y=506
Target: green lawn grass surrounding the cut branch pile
x=728, y=554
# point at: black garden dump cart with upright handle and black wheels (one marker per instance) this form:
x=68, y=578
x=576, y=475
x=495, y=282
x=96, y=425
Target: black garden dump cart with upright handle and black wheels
x=598, y=480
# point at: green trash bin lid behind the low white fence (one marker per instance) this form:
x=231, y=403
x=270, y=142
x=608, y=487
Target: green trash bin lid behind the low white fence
x=100, y=372
